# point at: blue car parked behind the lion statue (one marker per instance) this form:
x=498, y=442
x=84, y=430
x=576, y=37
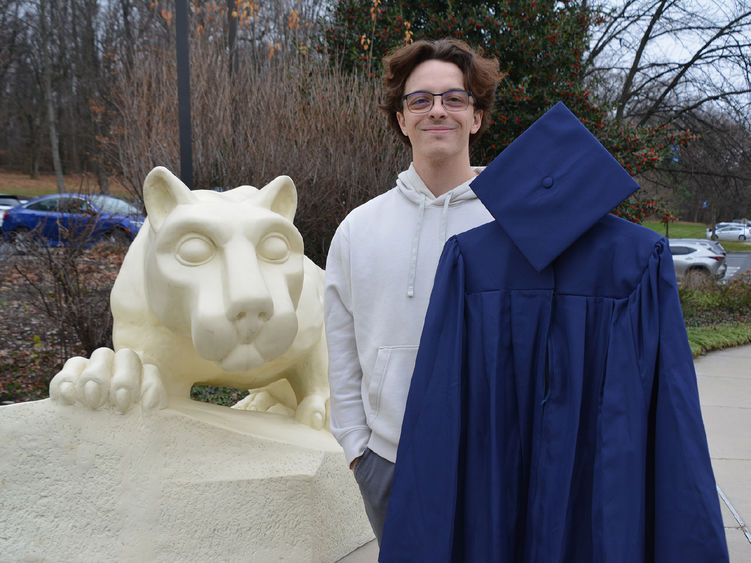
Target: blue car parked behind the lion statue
x=63, y=218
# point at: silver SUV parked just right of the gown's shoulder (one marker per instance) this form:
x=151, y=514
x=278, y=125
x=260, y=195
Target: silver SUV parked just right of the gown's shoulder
x=697, y=260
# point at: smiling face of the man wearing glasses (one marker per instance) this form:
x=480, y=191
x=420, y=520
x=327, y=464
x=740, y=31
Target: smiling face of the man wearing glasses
x=438, y=133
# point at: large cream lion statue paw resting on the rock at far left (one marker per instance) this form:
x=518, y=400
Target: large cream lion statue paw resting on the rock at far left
x=118, y=379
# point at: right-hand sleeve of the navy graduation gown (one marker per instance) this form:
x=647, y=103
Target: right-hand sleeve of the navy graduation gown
x=687, y=521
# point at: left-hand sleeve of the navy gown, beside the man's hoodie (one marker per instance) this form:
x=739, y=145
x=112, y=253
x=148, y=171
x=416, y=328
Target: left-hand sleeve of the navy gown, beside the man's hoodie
x=420, y=522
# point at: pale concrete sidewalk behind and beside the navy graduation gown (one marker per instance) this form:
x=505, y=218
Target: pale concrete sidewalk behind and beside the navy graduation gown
x=725, y=392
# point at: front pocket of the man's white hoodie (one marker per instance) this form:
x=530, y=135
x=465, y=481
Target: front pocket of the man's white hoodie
x=387, y=392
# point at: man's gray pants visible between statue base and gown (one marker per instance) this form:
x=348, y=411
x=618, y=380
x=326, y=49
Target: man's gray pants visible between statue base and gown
x=374, y=475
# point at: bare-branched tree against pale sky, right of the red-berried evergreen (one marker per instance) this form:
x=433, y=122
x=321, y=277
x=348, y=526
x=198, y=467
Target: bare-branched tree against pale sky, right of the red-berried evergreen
x=685, y=65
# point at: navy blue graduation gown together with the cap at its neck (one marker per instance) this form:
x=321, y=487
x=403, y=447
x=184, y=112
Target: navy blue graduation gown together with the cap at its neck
x=553, y=414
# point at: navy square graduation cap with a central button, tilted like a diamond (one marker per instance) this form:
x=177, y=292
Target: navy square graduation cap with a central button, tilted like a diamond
x=551, y=185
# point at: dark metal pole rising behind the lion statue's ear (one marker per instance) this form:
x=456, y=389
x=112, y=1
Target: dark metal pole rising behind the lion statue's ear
x=183, y=92
